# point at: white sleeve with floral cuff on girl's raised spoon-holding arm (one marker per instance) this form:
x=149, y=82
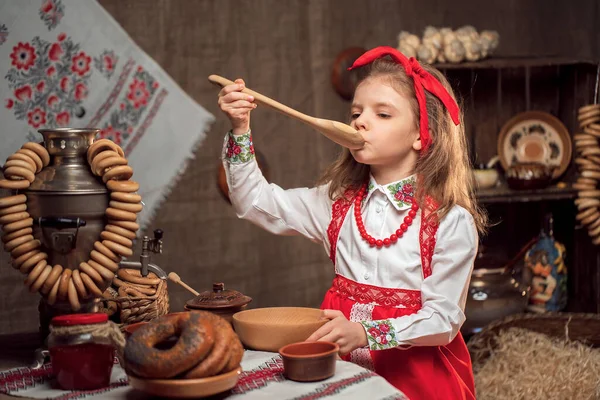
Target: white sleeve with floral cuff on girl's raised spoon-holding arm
x=304, y=211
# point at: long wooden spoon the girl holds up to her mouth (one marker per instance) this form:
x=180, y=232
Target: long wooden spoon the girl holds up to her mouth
x=338, y=132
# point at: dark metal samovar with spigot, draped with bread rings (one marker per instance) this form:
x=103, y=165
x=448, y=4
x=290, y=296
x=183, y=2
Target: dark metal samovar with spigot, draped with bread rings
x=67, y=203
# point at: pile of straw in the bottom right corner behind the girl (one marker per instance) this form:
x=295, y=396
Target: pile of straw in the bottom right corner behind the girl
x=527, y=365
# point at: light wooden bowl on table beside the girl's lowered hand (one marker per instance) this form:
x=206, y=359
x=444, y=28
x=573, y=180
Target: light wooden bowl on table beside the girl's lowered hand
x=269, y=329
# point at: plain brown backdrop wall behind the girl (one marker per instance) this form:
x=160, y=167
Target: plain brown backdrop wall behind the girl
x=285, y=49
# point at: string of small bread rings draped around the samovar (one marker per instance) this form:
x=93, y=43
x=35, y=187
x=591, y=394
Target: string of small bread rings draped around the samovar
x=91, y=278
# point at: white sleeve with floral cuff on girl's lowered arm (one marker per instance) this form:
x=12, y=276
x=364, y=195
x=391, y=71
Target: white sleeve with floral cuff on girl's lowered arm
x=443, y=293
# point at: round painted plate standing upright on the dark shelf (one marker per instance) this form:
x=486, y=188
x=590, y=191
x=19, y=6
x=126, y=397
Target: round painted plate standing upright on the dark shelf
x=538, y=137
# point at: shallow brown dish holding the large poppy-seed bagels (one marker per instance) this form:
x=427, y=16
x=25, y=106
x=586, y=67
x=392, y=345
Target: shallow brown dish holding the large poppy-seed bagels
x=186, y=388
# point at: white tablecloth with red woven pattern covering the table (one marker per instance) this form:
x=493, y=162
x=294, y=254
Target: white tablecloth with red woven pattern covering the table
x=262, y=378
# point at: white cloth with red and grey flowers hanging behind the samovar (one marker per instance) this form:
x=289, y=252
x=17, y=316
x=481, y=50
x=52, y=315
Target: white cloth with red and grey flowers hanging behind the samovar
x=68, y=63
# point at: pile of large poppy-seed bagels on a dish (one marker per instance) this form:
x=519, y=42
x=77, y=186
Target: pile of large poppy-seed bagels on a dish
x=206, y=346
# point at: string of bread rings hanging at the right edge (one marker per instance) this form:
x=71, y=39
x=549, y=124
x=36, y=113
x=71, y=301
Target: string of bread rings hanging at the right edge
x=588, y=163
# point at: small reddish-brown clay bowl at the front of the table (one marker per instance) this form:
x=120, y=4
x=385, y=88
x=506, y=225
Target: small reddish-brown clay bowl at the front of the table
x=309, y=361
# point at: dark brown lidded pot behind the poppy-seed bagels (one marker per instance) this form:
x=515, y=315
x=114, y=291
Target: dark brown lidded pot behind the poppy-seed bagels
x=220, y=301
